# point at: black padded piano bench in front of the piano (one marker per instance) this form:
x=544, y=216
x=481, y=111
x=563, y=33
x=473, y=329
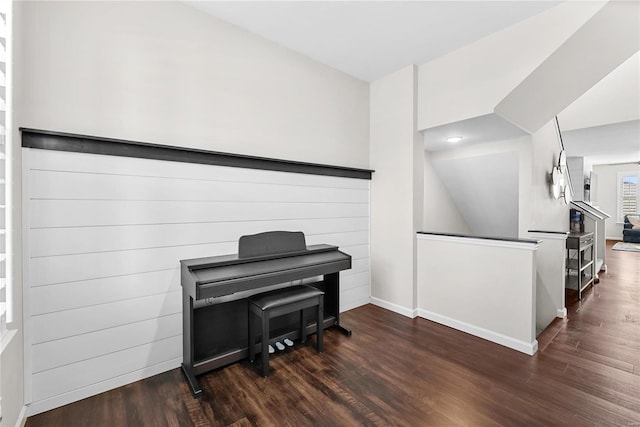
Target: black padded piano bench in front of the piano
x=279, y=302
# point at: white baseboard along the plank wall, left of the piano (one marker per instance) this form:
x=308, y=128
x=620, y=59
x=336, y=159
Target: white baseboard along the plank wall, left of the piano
x=94, y=389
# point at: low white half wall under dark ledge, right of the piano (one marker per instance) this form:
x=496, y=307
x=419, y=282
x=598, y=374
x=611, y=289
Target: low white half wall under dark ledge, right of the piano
x=453, y=290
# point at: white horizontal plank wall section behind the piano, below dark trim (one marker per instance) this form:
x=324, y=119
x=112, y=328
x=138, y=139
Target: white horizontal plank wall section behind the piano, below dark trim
x=105, y=236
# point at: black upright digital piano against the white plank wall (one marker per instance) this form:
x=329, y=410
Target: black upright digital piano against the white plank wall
x=215, y=292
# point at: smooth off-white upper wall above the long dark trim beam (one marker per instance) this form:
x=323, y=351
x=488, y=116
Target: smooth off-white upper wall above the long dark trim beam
x=165, y=72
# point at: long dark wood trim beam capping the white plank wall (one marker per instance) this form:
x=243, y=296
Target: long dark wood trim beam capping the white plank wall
x=59, y=141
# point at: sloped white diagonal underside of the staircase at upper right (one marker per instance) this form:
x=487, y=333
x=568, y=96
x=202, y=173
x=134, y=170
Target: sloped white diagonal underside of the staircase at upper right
x=575, y=66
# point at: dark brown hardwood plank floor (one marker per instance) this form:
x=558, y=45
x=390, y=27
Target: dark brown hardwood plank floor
x=413, y=372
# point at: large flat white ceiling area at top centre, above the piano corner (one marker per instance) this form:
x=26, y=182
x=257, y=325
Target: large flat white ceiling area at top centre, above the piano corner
x=370, y=39
